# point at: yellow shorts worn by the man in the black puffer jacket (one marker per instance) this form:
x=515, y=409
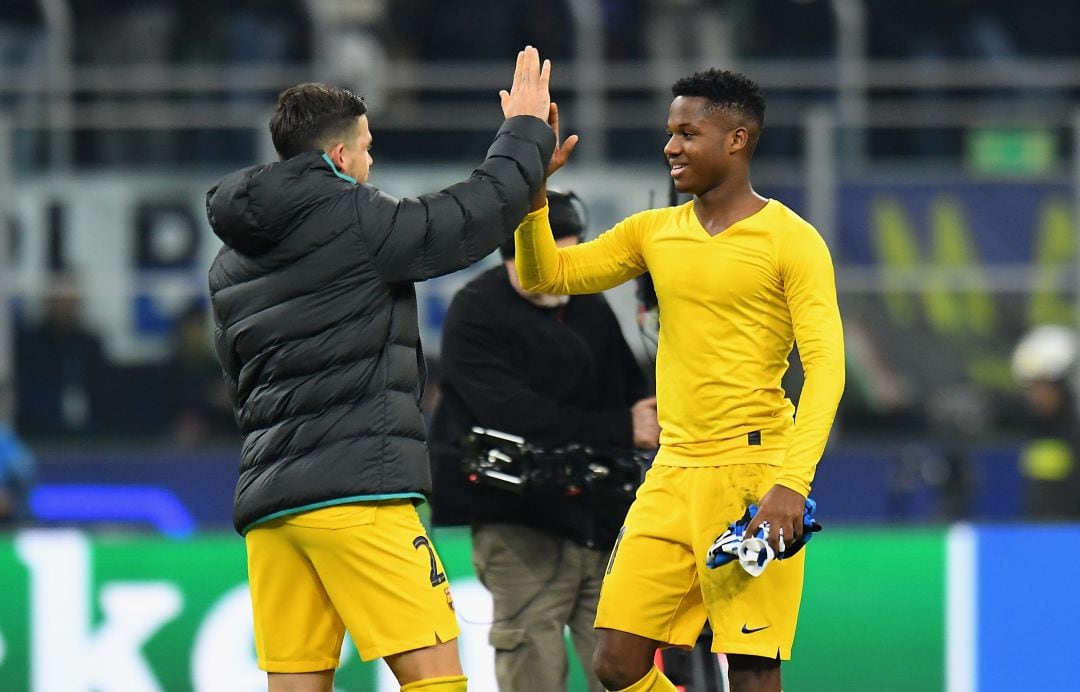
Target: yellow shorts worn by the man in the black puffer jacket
x=369, y=568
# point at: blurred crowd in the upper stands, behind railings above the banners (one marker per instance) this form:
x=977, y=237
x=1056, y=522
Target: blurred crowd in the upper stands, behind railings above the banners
x=355, y=42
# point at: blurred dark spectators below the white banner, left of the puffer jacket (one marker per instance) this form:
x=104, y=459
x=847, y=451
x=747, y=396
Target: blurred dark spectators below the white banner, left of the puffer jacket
x=69, y=391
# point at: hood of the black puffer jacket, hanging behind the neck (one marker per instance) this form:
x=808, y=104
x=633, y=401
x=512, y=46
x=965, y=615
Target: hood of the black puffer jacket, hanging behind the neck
x=252, y=211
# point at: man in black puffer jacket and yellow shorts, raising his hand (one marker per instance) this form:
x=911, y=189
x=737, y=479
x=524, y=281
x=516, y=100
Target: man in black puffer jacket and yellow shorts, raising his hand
x=317, y=331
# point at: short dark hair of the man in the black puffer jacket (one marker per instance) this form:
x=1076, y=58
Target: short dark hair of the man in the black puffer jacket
x=309, y=115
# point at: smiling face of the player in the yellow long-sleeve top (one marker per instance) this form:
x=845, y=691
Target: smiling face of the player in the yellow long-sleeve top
x=706, y=145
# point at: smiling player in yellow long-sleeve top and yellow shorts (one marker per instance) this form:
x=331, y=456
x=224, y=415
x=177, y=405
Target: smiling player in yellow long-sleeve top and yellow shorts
x=739, y=280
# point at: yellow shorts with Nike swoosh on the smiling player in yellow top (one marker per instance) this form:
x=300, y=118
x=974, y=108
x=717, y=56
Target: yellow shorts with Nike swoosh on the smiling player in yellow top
x=658, y=587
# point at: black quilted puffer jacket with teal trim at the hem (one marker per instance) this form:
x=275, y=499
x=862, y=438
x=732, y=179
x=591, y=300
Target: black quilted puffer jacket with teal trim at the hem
x=316, y=317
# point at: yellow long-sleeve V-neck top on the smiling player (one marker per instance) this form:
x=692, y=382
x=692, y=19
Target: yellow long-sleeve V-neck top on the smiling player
x=732, y=306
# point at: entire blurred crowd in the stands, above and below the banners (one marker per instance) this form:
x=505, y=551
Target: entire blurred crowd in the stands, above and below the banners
x=70, y=391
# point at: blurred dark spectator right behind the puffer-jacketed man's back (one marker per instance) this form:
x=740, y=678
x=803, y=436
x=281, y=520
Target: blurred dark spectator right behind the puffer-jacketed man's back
x=200, y=410
